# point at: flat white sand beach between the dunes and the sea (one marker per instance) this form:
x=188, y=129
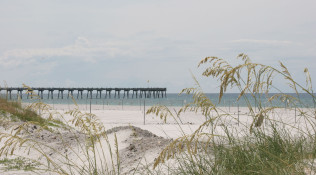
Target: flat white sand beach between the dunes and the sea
x=113, y=116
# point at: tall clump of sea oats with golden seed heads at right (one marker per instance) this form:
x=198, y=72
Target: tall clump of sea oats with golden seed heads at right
x=266, y=145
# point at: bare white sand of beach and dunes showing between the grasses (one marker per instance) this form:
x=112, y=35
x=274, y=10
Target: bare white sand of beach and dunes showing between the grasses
x=139, y=143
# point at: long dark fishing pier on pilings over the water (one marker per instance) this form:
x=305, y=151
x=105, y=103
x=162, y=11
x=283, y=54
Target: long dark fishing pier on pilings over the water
x=89, y=92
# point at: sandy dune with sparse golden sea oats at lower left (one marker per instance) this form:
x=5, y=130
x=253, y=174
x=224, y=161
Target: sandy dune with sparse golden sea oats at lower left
x=70, y=143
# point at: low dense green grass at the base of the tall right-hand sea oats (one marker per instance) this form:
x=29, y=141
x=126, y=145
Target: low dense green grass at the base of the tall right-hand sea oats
x=258, y=153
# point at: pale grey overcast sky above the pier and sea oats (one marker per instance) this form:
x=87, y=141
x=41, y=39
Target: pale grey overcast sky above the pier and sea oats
x=149, y=43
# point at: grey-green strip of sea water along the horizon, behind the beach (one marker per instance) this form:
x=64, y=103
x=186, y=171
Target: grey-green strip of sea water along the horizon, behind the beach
x=172, y=99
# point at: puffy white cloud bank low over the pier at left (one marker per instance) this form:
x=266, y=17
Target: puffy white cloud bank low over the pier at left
x=82, y=48
